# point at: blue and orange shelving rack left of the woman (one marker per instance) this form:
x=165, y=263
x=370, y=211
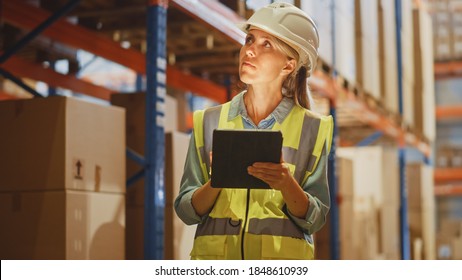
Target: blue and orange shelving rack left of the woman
x=153, y=65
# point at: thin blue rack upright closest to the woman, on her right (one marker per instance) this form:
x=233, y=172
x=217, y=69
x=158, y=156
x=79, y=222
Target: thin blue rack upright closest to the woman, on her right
x=332, y=175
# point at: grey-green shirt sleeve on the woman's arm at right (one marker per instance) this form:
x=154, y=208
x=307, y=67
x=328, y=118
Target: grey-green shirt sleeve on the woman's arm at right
x=316, y=188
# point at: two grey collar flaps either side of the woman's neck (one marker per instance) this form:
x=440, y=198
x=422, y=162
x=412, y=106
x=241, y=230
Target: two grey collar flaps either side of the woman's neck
x=237, y=108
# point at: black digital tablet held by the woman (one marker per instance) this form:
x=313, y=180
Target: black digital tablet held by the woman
x=235, y=150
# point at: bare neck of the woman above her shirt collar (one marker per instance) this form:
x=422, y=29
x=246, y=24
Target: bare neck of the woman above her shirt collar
x=261, y=103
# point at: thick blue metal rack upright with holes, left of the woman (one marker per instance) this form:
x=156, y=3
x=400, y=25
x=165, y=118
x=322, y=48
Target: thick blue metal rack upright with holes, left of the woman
x=154, y=201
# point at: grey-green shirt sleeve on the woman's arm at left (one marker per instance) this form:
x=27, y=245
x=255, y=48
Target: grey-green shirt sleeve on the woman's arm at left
x=192, y=180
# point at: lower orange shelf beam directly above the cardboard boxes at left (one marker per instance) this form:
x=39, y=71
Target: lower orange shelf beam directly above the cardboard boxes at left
x=22, y=68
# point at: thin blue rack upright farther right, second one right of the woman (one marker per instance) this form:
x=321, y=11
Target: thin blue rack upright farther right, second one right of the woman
x=404, y=226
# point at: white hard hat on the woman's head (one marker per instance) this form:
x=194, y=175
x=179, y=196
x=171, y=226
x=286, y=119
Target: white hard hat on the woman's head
x=291, y=25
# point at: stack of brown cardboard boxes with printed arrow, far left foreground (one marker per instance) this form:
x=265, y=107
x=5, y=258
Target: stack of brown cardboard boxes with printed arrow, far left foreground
x=62, y=180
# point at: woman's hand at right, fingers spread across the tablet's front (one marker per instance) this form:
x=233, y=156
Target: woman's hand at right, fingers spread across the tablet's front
x=276, y=175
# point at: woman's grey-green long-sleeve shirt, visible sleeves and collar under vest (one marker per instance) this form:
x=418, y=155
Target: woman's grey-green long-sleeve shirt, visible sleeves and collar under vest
x=316, y=187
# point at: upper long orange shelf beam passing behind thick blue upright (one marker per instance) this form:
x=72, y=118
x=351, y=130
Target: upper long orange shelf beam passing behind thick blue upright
x=26, y=16
